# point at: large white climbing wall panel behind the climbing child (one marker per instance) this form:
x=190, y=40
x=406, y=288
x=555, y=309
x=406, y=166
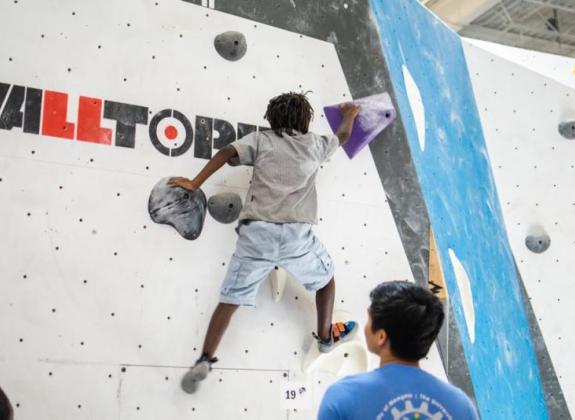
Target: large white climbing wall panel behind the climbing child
x=101, y=310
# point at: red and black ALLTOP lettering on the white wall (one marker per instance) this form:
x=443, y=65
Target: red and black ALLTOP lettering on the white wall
x=44, y=112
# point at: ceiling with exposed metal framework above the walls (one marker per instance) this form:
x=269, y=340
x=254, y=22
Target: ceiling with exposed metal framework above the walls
x=543, y=25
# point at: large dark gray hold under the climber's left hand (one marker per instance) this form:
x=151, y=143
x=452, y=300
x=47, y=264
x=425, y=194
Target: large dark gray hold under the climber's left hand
x=185, y=211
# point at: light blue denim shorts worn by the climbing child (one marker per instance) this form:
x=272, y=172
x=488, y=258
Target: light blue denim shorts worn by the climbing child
x=262, y=246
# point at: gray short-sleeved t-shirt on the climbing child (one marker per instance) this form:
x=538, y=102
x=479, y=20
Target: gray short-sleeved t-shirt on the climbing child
x=285, y=169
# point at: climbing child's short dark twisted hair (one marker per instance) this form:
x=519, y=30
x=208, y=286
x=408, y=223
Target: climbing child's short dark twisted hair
x=288, y=112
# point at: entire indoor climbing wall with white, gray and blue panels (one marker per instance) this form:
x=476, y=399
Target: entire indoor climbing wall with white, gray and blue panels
x=102, y=309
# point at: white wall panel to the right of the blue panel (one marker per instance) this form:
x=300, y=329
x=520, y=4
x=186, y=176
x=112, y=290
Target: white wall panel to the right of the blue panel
x=534, y=169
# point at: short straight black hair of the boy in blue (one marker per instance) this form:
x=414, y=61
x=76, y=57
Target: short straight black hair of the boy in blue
x=410, y=315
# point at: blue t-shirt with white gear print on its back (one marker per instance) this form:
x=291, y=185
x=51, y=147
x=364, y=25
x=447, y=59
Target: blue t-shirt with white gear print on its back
x=393, y=392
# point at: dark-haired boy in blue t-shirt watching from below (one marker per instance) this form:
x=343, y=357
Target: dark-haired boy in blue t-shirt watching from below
x=403, y=322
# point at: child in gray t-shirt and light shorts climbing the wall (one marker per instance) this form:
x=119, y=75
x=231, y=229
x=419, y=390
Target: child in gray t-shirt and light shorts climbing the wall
x=275, y=227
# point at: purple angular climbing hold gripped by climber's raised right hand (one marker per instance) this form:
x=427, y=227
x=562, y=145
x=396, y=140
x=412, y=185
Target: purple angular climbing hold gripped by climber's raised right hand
x=376, y=113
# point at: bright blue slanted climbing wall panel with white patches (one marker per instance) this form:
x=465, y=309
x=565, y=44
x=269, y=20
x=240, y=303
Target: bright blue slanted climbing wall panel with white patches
x=459, y=190
